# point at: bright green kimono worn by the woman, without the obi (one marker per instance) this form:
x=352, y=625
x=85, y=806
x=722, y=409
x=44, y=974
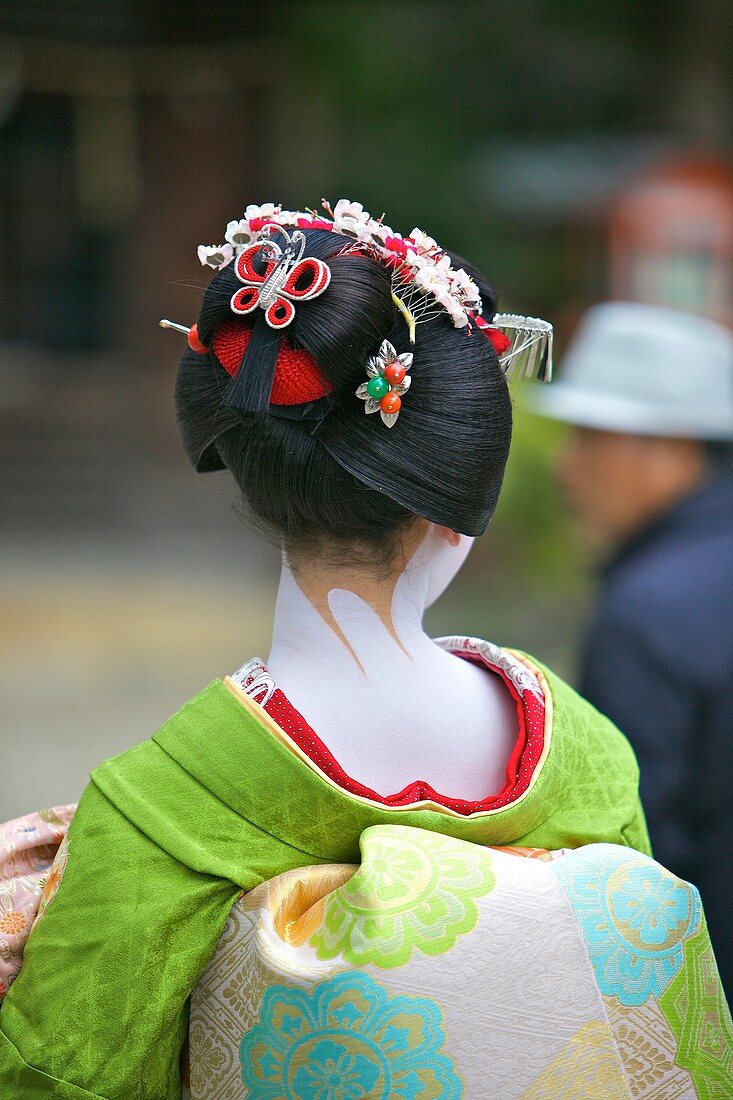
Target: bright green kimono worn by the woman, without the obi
x=170, y=834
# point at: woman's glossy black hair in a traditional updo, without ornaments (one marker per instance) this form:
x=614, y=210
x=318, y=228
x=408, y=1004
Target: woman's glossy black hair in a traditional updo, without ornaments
x=336, y=476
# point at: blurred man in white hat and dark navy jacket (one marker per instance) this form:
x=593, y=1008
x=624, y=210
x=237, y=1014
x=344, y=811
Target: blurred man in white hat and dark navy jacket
x=647, y=470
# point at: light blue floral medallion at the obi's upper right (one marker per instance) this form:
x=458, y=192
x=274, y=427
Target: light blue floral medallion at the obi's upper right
x=636, y=918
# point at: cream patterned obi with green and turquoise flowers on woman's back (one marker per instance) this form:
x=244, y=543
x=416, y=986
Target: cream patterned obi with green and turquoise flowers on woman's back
x=442, y=970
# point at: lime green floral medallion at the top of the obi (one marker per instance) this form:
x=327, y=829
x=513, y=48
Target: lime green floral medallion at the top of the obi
x=414, y=892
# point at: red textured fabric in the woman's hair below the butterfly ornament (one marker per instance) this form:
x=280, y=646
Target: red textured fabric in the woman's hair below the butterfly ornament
x=298, y=379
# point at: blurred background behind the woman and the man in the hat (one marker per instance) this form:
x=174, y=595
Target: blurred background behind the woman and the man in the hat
x=575, y=151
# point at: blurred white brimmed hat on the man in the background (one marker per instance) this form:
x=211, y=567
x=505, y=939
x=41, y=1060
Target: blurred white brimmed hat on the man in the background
x=646, y=370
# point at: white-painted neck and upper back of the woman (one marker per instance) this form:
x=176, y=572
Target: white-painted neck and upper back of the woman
x=390, y=705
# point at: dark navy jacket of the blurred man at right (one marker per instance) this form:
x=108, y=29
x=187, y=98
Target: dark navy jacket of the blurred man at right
x=660, y=664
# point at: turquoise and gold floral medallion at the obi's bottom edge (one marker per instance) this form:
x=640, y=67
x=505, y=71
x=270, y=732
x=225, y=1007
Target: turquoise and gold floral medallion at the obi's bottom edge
x=344, y=1040
